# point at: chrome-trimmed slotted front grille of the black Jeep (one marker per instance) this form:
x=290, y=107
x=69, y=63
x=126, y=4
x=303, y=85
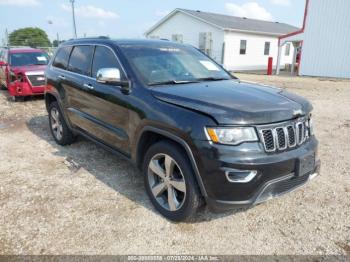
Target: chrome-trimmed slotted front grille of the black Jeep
x=284, y=136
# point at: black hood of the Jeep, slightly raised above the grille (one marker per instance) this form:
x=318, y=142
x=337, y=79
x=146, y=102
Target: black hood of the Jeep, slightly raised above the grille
x=235, y=102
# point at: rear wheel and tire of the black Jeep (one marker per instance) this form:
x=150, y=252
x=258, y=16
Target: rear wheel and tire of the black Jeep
x=58, y=126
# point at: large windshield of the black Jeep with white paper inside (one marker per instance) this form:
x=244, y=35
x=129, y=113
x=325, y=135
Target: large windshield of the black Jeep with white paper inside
x=172, y=64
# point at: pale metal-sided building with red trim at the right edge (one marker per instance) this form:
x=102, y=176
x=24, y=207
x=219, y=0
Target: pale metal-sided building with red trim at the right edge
x=324, y=40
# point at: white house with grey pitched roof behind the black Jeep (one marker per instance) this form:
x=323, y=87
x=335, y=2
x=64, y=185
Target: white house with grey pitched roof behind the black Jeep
x=236, y=42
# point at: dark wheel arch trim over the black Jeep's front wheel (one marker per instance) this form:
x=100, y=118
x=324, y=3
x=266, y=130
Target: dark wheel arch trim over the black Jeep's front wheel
x=150, y=135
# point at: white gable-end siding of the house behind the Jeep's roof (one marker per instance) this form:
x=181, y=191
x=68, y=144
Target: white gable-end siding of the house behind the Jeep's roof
x=189, y=28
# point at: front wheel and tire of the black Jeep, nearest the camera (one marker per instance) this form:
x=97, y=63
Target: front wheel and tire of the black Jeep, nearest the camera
x=170, y=182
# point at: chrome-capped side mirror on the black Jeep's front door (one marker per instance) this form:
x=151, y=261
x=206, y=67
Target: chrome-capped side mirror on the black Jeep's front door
x=112, y=76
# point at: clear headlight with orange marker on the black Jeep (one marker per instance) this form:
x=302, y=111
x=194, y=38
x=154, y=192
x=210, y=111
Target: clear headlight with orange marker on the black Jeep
x=232, y=135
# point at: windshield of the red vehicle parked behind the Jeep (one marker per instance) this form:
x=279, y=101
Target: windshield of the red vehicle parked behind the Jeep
x=25, y=59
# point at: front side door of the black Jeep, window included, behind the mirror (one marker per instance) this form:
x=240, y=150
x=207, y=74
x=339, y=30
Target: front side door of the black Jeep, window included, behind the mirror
x=110, y=107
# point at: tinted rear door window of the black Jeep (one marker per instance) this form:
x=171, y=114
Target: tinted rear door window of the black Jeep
x=80, y=60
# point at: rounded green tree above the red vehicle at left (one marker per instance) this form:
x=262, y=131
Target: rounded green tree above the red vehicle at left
x=29, y=36
